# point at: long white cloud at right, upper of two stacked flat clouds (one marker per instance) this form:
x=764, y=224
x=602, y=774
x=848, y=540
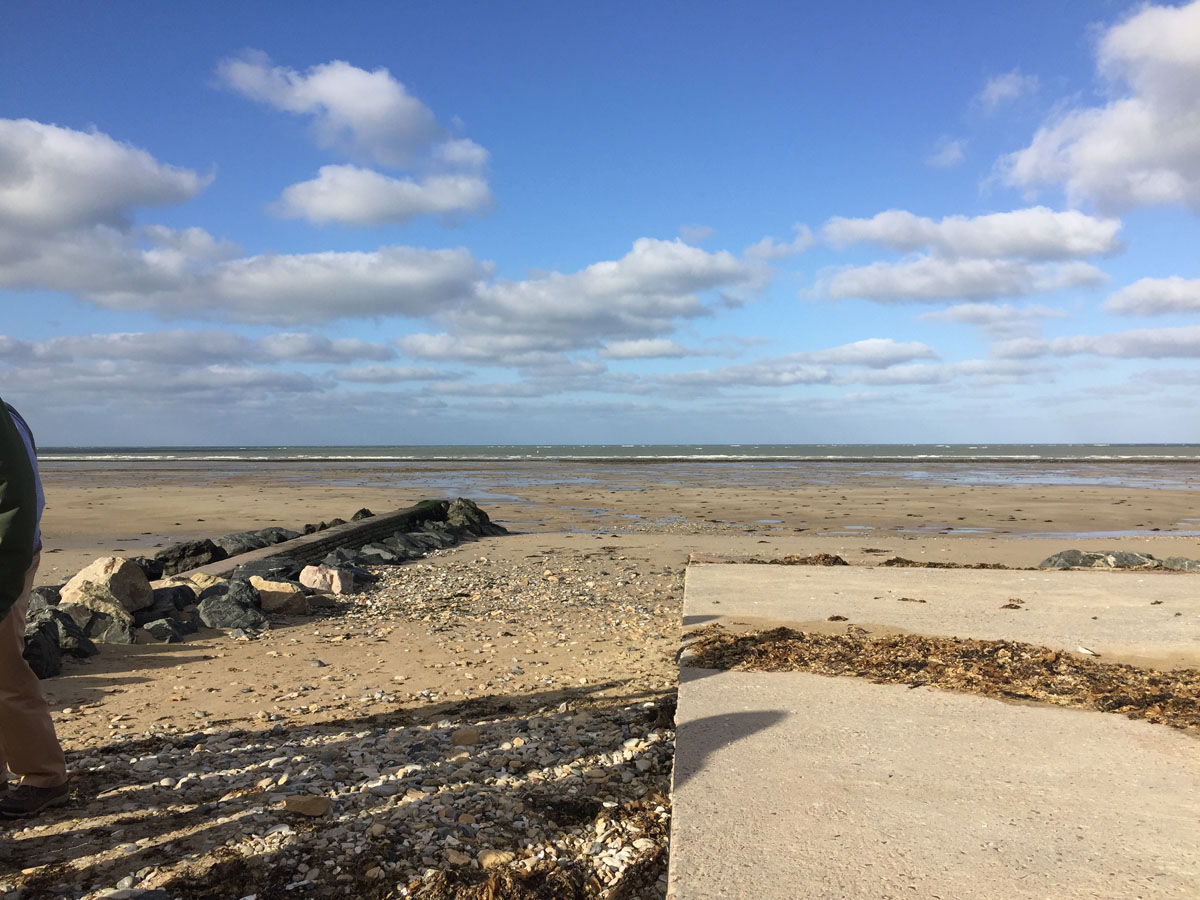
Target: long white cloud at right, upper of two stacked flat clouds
x=1036, y=233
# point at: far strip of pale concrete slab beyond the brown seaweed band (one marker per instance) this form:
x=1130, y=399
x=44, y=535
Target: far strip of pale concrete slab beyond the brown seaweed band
x=1112, y=613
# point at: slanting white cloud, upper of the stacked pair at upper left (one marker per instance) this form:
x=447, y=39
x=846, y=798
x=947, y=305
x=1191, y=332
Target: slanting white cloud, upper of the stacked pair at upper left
x=363, y=113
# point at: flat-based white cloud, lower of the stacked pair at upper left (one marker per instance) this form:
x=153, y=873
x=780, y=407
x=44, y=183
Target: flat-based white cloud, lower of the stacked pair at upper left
x=364, y=197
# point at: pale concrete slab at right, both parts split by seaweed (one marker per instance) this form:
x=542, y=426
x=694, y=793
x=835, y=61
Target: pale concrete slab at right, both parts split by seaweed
x=794, y=785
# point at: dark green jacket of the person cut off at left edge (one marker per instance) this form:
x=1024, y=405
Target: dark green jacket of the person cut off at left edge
x=19, y=513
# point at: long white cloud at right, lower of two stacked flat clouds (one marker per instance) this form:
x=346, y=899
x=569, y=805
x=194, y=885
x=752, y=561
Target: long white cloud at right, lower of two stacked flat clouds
x=931, y=280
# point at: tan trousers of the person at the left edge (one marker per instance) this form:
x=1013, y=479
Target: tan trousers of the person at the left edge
x=29, y=748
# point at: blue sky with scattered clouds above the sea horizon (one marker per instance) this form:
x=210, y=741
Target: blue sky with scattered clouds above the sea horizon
x=268, y=224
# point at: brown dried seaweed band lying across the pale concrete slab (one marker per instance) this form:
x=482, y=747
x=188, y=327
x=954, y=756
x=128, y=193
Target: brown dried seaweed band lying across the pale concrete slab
x=1005, y=670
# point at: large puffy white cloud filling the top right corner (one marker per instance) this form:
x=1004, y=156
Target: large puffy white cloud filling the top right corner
x=1142, y=148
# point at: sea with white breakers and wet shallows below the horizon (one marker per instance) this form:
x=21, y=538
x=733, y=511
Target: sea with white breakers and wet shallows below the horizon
x=481, y=469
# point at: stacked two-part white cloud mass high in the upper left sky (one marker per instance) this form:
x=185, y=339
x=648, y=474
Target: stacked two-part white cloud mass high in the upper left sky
x=367, y=116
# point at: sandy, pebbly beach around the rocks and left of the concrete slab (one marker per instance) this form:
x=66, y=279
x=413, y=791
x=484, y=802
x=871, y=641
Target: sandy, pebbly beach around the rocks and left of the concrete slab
x=448, y=707
